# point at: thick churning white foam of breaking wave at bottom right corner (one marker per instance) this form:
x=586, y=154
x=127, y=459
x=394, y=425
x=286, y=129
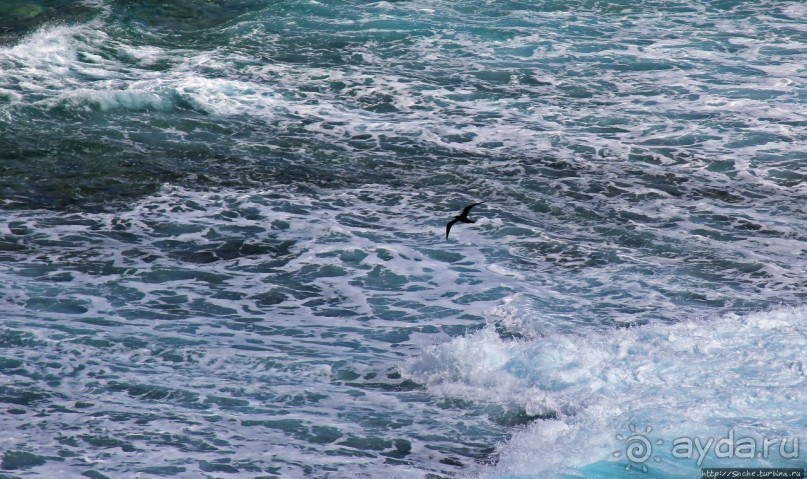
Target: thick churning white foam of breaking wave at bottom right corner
x=697, y=378
